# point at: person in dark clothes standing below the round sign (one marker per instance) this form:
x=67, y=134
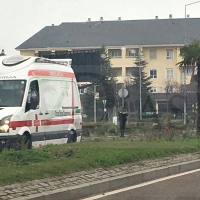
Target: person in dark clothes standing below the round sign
x=122, y=114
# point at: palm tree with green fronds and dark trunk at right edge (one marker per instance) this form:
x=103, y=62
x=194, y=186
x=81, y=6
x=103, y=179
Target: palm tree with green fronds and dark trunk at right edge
x=191, y=58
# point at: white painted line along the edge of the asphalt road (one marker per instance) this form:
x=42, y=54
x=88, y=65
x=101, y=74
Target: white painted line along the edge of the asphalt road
x=139, y=185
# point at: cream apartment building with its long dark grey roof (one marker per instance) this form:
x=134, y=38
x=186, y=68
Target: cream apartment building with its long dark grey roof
x=157, y=41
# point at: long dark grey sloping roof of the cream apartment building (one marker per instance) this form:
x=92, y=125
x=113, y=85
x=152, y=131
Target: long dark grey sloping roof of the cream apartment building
x=115, y=33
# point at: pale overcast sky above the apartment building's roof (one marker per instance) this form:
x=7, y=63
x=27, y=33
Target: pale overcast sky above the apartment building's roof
x=21, y=19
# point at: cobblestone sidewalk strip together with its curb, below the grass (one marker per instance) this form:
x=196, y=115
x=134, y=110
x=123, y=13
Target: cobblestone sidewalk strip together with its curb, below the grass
x=85, y=183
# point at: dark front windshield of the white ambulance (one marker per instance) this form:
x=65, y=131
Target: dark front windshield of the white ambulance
x=12, y=92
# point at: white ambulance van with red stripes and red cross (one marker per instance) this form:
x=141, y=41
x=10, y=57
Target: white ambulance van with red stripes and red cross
x=39, y=102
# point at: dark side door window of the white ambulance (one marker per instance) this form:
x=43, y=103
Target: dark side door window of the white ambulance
x=33, y=96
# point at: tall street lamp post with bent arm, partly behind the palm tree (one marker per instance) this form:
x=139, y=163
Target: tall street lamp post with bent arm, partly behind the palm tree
x=185, y=41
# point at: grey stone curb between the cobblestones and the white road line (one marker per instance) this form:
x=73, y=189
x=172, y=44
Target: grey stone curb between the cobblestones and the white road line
x=110, y=184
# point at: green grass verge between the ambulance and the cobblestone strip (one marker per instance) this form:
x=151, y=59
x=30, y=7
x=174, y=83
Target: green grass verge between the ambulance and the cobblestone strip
x=54, y=160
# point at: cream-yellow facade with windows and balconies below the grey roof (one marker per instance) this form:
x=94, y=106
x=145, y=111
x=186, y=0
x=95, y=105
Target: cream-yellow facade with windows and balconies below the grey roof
x=161, y=64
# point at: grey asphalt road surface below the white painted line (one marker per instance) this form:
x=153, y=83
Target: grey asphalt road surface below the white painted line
x=185, y=187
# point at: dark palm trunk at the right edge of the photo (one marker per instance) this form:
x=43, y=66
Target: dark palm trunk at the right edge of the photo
x=198, y=97
